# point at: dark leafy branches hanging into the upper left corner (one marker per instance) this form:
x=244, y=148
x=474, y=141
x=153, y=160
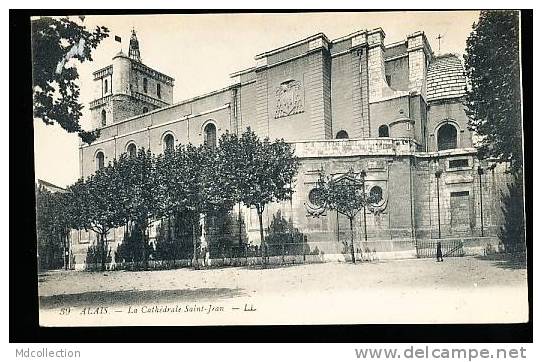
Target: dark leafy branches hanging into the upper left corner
x=55, y=42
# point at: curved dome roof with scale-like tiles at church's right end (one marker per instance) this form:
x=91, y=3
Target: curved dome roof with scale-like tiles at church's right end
x=445, y=78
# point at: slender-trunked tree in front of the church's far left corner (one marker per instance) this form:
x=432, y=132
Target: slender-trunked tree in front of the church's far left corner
x=98, y=204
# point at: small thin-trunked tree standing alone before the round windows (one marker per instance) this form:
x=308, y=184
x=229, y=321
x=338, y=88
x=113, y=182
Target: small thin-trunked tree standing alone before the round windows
x=345, y=194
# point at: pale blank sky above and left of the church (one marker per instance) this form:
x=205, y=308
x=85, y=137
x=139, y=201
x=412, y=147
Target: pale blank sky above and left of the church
x=200, y=51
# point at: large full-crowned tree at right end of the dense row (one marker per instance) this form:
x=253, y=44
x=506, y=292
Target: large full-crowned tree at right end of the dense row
x=261, y=171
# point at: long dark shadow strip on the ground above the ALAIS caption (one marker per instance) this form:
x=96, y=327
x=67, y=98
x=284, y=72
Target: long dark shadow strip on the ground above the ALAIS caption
x=134, y=297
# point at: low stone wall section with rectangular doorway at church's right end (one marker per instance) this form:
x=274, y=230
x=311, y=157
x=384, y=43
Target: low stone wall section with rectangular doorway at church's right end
x=460, y=217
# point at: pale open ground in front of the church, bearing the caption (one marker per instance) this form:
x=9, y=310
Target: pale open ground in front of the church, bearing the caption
x=462, y=290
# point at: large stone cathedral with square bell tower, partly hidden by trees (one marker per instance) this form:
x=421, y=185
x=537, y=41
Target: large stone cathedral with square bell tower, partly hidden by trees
x=392, y=110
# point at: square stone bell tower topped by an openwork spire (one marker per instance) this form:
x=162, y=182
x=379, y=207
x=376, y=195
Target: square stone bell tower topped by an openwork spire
x=128, y=88
